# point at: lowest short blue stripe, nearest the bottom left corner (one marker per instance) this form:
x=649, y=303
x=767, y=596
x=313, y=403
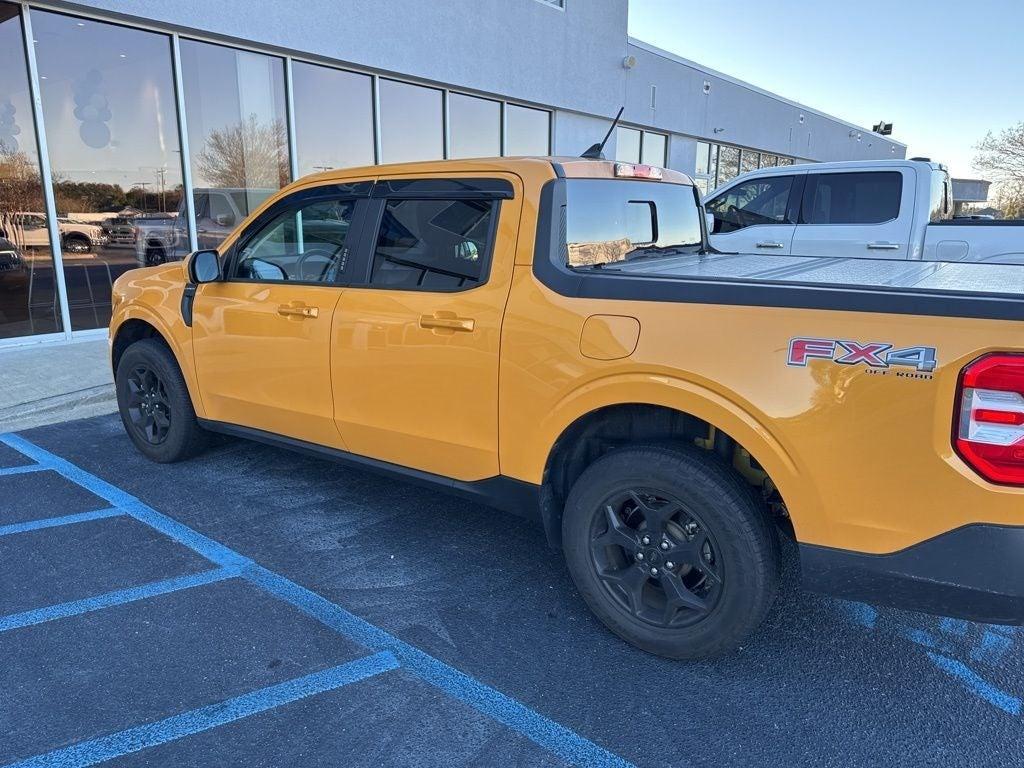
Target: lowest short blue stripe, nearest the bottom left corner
x=190, y=723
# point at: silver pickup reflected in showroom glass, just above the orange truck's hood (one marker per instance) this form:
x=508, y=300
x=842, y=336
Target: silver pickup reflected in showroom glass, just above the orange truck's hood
x=218, y=214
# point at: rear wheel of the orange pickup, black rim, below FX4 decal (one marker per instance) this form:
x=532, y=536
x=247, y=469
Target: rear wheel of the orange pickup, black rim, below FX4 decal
x=671, y=550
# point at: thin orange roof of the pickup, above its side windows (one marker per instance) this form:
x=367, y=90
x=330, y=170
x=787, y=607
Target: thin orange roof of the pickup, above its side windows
x=568, y=167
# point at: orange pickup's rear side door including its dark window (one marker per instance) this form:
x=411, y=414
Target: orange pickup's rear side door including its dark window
x=415, y=349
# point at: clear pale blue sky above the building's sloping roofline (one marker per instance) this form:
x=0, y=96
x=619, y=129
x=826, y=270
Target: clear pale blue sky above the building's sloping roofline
x=944, y=73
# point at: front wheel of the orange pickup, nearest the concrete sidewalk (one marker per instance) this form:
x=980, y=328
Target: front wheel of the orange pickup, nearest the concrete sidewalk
x=155, y=406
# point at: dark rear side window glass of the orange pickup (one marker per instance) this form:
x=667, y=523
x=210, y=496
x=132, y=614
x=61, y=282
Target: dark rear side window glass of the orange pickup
x=434, y=245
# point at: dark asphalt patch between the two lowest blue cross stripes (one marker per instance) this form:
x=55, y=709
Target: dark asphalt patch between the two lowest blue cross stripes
x=151, y=659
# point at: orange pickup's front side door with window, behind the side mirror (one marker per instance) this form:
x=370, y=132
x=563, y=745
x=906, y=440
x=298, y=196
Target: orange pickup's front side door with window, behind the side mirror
x=262, y=337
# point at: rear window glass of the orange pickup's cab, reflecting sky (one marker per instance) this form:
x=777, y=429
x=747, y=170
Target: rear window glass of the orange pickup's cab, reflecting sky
x=612, y=221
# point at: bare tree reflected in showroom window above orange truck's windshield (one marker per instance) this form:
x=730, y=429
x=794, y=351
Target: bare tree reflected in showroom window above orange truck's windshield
x=251, y=154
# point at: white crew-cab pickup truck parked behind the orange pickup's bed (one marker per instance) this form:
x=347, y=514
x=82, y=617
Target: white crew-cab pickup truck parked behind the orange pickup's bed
x=888, y=209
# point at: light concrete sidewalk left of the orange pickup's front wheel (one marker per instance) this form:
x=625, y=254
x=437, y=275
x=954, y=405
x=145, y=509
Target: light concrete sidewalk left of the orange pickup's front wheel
x=49, y=383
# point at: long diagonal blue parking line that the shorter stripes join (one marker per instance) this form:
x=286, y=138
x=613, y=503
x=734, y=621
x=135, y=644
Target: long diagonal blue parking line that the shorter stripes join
x=547, y=734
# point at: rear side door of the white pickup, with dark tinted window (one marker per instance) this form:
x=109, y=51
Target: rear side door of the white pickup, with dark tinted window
x=857, y=215
